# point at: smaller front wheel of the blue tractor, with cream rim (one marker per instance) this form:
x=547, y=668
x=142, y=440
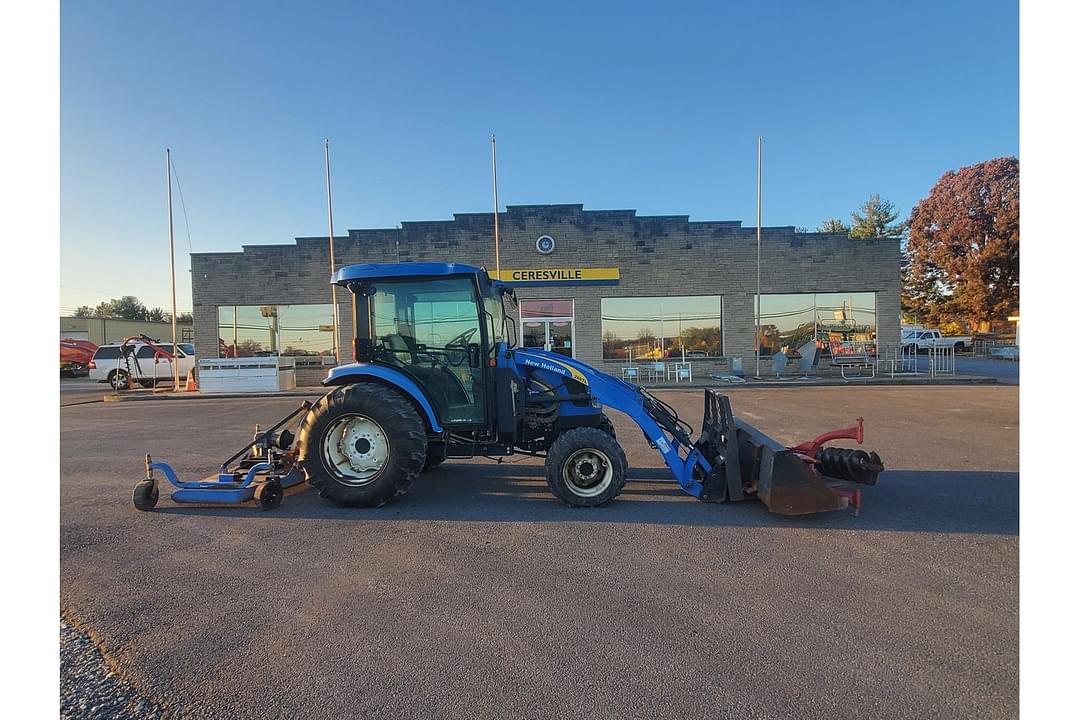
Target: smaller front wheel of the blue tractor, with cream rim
x=586, y=468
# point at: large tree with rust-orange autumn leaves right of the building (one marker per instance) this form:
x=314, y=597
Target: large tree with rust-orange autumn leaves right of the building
x=964, y=249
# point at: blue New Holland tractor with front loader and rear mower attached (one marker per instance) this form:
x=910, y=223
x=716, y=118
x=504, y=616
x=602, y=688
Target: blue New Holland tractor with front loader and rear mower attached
x=437, y=375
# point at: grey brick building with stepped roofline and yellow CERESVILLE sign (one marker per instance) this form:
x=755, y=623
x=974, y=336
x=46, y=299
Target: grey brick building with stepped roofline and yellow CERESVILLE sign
x=604, y=287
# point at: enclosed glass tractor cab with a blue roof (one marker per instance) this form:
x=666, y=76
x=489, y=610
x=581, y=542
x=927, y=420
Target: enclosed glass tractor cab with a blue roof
x=439, y=324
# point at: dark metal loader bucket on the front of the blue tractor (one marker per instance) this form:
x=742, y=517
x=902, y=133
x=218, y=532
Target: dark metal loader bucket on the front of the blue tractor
x=748, y=463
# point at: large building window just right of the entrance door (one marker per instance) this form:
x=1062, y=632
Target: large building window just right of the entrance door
x=659, y=329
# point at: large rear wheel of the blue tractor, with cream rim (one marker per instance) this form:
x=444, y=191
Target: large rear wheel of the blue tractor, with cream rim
x=362, y=445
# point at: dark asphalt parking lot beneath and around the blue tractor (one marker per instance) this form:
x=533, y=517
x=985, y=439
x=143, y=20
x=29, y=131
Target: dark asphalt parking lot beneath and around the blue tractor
x=479, y=596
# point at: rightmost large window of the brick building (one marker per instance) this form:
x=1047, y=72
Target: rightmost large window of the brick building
x=840, y=322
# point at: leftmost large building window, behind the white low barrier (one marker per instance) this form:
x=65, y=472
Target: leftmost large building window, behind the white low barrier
x=305, y=332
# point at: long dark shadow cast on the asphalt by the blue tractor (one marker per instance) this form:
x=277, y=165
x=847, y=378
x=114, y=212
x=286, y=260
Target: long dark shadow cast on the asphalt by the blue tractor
x=903, y=501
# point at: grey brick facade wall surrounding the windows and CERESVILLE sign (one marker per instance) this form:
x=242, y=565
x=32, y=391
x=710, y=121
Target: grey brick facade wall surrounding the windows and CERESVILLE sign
x=657, y=256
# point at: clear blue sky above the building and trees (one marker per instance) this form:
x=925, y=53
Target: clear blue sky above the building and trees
x=647, y=106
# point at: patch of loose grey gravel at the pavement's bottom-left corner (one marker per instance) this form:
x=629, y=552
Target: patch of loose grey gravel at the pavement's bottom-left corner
x=90, y=690
